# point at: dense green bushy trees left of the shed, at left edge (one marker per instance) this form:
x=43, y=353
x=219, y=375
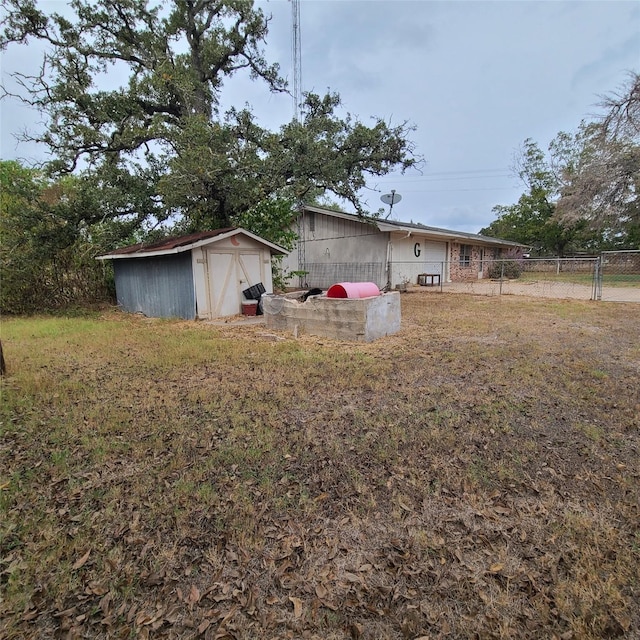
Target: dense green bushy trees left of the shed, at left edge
x=47, y=252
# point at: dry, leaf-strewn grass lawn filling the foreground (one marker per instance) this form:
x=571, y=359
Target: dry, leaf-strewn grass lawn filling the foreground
x=475, y=476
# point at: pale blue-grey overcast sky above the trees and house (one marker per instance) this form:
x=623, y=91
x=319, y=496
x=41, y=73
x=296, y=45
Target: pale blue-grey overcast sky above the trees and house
x=475, y=78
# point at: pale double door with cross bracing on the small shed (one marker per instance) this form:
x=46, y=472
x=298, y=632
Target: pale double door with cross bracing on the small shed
x=229, y=274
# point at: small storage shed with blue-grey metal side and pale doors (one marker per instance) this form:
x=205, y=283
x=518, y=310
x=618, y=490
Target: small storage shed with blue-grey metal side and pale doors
x=201, y=275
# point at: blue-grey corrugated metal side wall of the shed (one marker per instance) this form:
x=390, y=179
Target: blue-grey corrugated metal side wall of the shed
x=160, y=287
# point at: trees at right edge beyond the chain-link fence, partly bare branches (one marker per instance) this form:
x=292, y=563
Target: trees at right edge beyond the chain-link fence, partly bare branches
x=583, y=193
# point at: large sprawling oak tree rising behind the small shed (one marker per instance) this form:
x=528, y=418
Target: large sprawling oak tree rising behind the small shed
x=156, y=147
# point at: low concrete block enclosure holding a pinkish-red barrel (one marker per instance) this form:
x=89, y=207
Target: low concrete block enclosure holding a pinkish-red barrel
x=363, y=319
